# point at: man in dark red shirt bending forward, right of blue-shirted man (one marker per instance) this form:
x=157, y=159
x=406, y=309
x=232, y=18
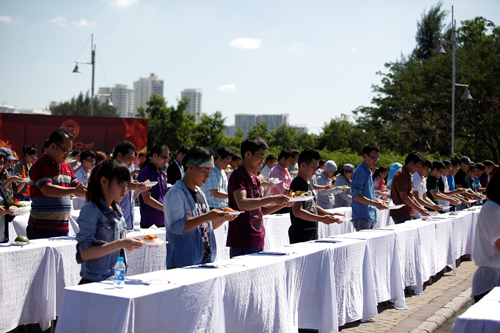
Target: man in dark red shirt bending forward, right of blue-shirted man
x=402, y=190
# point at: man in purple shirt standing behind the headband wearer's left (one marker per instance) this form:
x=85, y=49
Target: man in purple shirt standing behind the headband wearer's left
x=151, y=201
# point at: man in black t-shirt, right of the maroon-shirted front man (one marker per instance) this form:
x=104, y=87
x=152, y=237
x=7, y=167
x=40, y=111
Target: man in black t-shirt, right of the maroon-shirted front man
x=305, y=215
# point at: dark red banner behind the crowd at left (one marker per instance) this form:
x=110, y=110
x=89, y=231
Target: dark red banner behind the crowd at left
x=94, y=133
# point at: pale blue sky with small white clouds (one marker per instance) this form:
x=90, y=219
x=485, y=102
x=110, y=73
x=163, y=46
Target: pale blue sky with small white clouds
x=311, y=59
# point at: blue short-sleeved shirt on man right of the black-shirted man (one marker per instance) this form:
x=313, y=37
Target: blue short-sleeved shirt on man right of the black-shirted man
x=362, y=183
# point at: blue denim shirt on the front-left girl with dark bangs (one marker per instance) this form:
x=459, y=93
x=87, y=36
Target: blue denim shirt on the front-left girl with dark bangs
x=99, y=227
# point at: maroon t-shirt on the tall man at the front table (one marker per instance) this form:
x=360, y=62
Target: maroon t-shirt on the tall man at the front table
x=247, y=230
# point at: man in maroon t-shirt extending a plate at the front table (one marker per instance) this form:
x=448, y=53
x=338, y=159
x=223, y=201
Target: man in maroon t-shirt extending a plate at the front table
x=246, y=232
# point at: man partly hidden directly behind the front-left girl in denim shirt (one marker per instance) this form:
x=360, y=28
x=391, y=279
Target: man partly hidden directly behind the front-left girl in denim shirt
x=125, y=152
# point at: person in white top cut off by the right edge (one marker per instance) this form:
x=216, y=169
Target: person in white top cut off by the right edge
x=486, y=244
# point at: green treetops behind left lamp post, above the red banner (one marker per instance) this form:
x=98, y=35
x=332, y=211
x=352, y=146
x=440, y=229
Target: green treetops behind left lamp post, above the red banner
x=80, y=106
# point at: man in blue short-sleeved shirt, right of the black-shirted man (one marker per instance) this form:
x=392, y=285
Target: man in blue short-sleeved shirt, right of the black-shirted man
x=364, y=204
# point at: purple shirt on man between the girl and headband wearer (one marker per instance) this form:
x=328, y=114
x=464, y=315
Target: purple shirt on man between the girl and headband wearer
x=150, y=215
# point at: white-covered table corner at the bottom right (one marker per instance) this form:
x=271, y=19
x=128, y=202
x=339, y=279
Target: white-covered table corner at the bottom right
x=482, y=316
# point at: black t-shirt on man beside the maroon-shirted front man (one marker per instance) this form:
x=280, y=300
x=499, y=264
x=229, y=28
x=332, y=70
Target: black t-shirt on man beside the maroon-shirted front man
x=301, y=230
